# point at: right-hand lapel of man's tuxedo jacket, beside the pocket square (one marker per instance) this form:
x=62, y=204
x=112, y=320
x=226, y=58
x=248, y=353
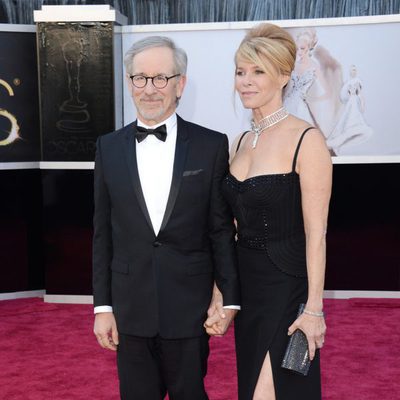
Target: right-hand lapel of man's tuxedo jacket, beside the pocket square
x=182, y=141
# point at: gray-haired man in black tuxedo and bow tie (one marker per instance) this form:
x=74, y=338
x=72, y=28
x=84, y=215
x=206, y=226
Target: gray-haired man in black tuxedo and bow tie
x=162, y=234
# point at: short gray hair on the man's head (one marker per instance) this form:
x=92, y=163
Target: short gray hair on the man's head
x=180, y=57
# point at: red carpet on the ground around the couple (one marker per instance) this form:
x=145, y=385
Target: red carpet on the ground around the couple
x=48, y=352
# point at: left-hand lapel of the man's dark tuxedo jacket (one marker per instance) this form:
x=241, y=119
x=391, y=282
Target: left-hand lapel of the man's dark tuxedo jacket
x=129, y=145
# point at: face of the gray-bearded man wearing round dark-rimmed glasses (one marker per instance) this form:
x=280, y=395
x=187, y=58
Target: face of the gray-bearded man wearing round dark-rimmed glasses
x=155, y=105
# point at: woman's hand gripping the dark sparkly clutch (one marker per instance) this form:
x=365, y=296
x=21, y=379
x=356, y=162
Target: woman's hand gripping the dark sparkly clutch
x=314, y=328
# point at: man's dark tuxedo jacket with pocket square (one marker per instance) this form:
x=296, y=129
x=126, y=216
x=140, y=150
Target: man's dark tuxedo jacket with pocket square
x=163, y=284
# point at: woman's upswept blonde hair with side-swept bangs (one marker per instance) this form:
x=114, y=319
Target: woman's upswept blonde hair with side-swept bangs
x=270, y=47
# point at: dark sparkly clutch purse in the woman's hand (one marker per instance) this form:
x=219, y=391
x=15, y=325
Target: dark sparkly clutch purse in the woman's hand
x=296, y=356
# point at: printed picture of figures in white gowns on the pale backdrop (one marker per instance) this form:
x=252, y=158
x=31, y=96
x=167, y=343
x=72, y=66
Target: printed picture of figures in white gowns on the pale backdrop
x=317, y=94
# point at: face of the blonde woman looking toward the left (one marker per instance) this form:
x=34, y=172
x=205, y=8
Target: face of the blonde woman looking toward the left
x=256, y=88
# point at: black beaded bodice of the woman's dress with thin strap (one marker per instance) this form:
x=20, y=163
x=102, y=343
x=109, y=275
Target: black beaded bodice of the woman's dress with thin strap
x=269, y=216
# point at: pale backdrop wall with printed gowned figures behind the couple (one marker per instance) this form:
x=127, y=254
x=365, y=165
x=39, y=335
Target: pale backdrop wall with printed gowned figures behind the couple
x=349, y=90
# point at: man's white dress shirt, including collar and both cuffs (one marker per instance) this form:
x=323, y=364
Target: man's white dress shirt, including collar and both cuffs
x=155, y=162
